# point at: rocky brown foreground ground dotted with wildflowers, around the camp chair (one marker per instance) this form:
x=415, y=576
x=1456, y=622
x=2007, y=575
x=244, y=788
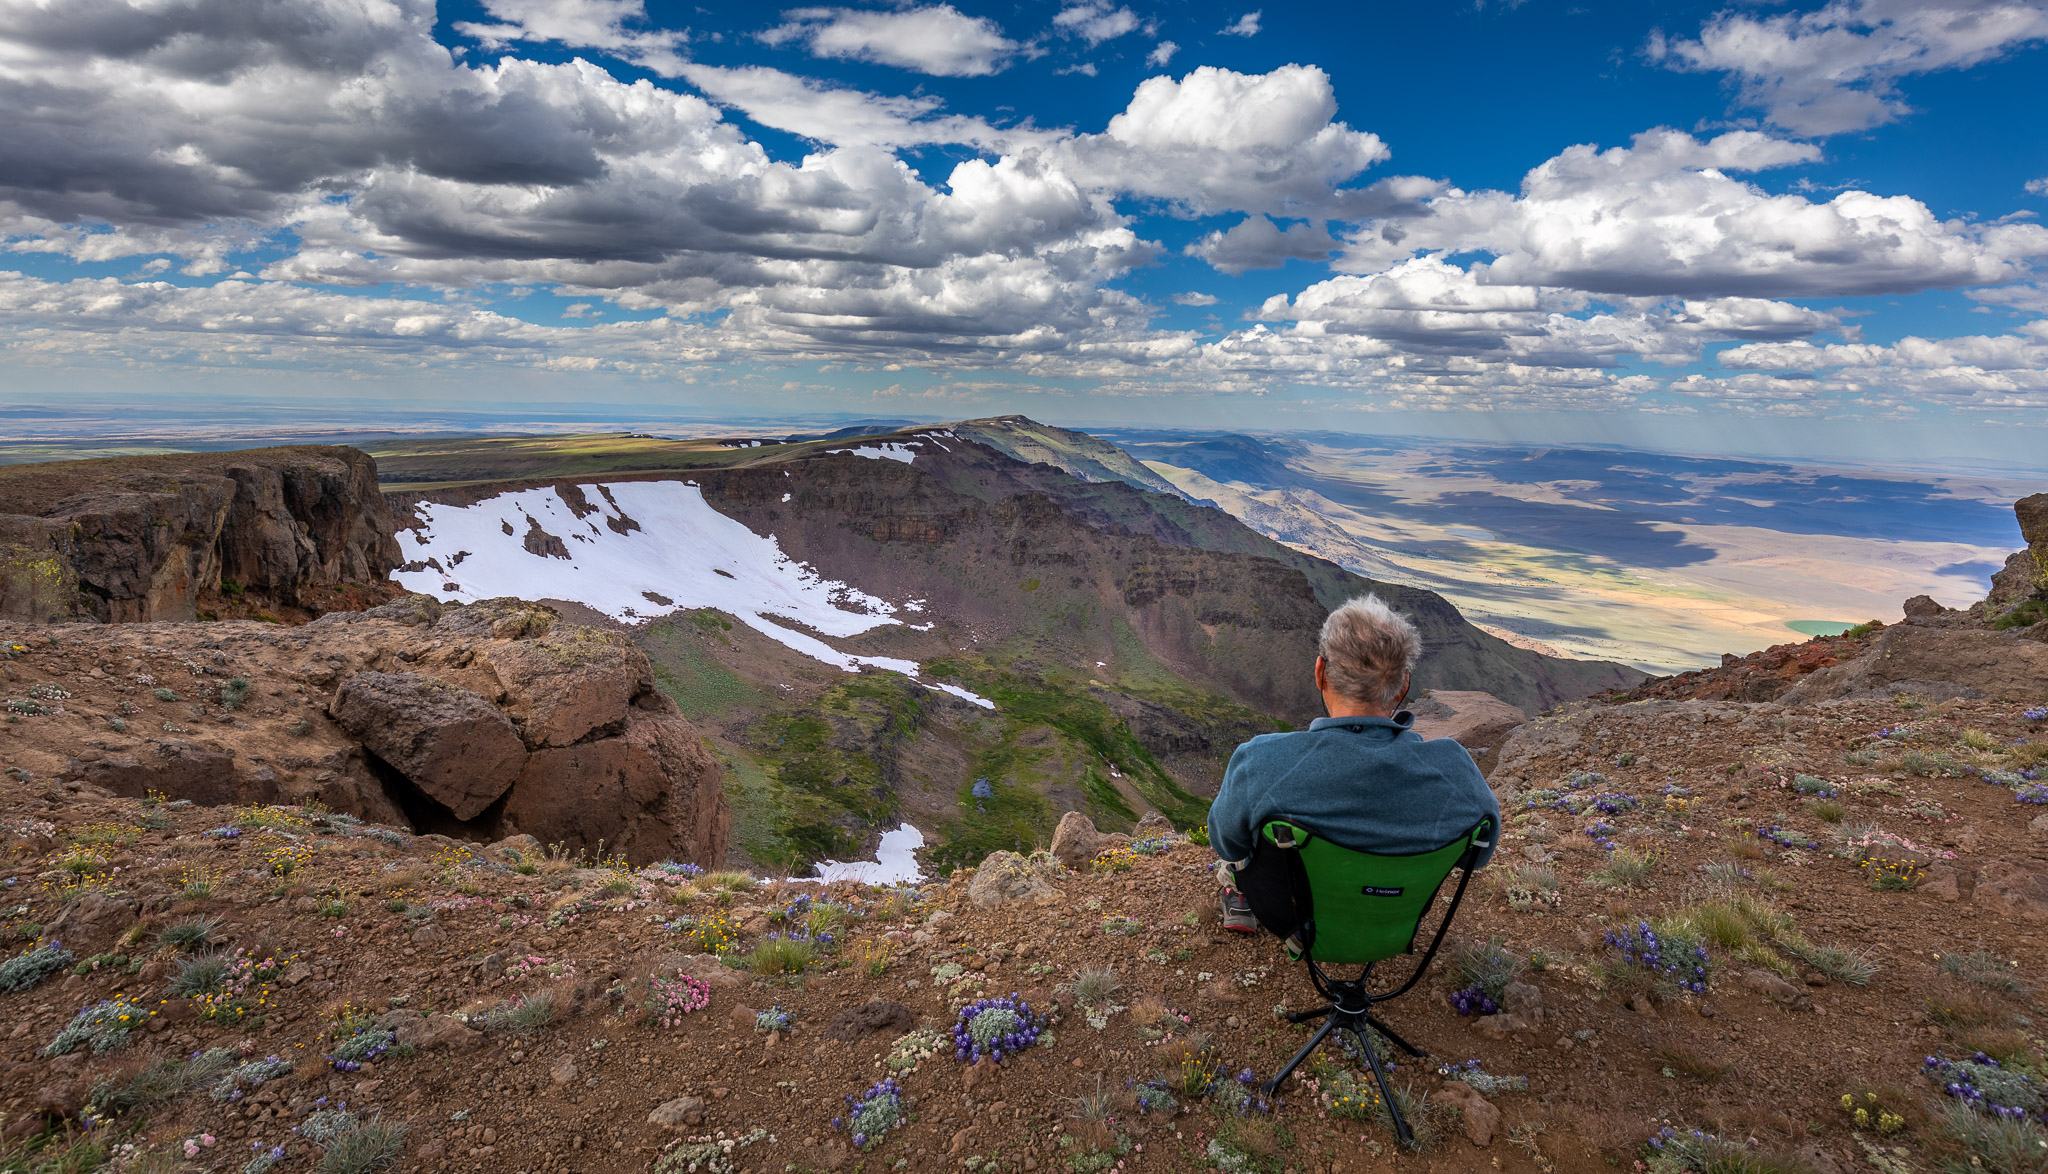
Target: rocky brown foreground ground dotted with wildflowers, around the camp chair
x=1869, y=884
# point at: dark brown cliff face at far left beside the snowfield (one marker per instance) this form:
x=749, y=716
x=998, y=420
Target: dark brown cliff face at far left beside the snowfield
x=153, y=538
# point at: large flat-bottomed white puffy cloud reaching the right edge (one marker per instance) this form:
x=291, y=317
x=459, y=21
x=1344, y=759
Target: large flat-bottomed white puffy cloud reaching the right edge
x=1666, y=218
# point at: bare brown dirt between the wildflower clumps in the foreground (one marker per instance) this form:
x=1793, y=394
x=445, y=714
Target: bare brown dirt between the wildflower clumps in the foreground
x=1611, y=1058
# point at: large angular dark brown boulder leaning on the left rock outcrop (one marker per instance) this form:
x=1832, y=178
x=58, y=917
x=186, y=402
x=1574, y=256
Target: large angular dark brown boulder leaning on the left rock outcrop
x=450, y=743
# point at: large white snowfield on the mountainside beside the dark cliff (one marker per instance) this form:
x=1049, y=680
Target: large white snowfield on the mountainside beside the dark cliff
x=683, y=552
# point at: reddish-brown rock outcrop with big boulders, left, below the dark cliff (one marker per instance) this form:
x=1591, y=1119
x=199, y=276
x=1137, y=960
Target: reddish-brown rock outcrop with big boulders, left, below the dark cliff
x=480, y=722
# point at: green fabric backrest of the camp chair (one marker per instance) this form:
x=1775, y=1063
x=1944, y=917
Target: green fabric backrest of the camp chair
x=1338, y=905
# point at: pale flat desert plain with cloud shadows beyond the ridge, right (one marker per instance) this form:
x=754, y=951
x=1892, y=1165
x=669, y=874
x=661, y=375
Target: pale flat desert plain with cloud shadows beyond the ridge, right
x=1656, y=560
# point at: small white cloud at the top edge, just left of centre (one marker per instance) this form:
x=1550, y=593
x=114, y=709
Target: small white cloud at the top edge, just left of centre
x=933, y=40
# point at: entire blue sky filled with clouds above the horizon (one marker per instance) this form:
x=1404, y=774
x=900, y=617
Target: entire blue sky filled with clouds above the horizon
x=1701, y=228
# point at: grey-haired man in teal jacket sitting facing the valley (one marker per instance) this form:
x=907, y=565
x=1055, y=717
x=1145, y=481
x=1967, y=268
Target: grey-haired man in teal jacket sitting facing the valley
x=1361, y=775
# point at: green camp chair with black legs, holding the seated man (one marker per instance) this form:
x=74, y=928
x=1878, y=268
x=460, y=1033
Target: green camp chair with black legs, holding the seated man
x=1332, y=905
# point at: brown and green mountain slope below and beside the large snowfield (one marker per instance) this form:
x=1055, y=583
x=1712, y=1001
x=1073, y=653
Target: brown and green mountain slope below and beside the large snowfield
x=1129, y=640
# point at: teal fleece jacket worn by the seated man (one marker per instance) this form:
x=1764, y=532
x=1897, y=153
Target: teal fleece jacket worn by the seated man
x=1369, y=784
